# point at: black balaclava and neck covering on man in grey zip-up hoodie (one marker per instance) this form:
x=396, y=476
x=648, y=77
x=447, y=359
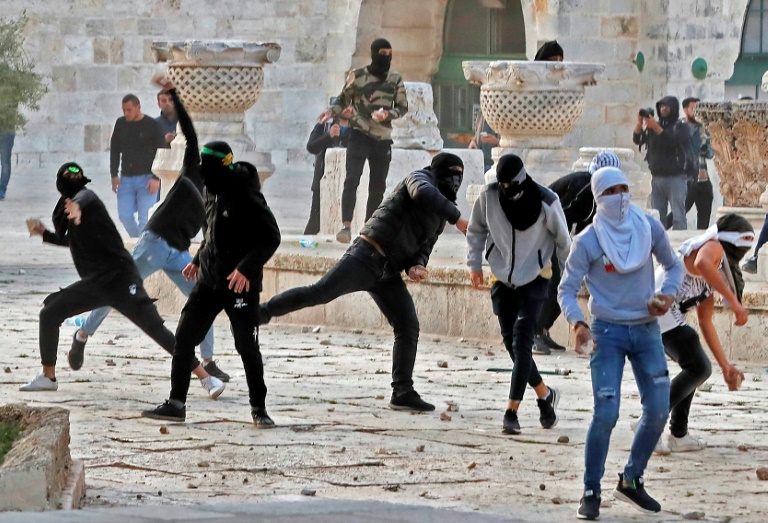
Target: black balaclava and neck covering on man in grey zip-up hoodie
x=521, y=202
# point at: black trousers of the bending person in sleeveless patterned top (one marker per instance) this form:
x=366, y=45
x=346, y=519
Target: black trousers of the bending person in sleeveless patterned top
x=682, y=345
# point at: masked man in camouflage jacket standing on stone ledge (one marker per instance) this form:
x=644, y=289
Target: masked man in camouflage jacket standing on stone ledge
x=378, y=97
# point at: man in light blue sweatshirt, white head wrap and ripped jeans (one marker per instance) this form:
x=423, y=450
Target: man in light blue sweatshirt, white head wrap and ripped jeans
x=613, y=255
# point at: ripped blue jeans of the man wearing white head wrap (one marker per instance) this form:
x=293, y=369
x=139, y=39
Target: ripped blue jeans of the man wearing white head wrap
x=641, y=344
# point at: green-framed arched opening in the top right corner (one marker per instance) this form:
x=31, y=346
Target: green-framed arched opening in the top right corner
x=753, y=55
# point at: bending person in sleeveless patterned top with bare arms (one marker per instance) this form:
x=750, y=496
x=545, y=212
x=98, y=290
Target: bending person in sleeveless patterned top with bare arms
x=711, y=262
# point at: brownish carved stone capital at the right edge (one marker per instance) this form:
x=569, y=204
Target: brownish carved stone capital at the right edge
x=739, y=135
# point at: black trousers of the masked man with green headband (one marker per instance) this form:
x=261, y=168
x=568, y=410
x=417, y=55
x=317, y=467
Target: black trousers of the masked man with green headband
x=197, y=316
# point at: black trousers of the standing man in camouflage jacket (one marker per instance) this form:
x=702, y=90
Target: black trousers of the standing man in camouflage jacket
x=378, y=153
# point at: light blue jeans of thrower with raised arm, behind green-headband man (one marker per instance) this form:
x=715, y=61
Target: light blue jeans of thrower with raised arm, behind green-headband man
x=152, y=254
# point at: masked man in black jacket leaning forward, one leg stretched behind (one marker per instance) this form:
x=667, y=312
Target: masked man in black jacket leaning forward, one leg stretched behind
x=399, y=236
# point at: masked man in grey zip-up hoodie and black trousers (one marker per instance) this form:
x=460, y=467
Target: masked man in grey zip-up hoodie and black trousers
x=518, y=224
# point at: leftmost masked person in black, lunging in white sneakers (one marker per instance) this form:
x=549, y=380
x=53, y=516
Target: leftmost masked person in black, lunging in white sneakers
x=108, y=276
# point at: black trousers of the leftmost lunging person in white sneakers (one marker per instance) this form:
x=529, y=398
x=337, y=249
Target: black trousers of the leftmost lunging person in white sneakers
x=113, y=289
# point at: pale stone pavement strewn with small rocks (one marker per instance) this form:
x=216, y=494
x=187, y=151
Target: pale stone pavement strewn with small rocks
x=328, y=393
